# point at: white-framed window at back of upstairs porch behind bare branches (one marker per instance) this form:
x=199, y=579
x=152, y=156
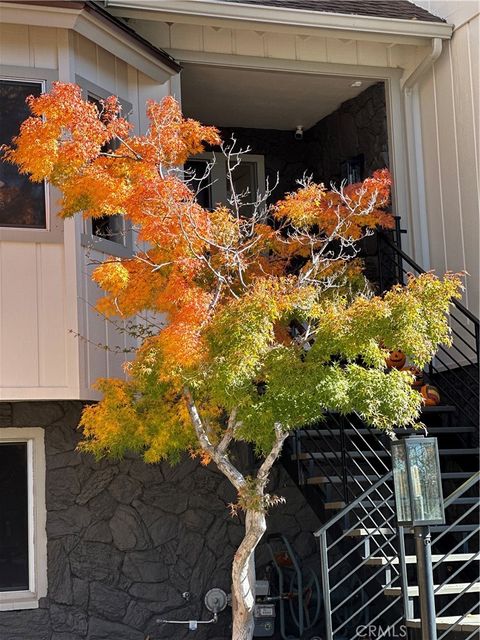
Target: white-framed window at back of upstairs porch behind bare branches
x=211, y=180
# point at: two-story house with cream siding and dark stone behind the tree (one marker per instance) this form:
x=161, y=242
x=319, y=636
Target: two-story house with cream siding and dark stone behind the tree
x=335, y=88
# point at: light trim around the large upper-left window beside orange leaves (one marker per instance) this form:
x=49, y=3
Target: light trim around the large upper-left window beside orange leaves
x=53, y=230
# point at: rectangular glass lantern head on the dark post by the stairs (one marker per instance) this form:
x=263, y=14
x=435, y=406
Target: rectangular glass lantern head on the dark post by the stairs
x=418, y=481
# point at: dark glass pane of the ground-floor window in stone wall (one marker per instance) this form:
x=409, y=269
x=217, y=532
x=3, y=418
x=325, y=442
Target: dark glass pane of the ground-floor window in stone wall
x=13, y=517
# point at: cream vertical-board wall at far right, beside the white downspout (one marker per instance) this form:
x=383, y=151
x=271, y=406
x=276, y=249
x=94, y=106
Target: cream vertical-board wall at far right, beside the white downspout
x=449, y=102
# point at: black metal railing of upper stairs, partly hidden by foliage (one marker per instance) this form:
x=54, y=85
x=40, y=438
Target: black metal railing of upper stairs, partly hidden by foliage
x=454, y=370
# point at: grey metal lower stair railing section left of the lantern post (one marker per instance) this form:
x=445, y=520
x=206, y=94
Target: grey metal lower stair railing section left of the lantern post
x=343, y=615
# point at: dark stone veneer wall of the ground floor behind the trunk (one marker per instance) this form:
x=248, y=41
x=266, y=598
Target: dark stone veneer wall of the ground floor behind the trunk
x=126, y=539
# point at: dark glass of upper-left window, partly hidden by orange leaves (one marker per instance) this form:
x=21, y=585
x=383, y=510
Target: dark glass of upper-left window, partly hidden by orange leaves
x=22, y=203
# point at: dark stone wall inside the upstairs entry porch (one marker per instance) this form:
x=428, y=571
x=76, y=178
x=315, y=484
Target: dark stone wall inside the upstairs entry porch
x=358, y=126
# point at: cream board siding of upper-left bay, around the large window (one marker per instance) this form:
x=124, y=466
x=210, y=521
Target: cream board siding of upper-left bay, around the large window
x=51, y=339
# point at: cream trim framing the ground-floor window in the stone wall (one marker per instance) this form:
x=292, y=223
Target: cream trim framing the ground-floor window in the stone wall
x=37, y=535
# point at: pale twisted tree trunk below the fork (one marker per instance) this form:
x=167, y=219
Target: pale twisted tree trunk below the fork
x=243, y=576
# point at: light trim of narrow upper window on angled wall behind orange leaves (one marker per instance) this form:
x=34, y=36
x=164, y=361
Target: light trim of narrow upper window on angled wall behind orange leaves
x=88, y=239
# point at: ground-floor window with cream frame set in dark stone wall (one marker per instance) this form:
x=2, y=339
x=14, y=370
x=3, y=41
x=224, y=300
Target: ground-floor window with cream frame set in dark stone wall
x=22, y=522
